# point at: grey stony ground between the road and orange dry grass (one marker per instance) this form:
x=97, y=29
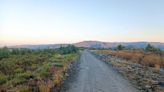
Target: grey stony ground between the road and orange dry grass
x=146, y=79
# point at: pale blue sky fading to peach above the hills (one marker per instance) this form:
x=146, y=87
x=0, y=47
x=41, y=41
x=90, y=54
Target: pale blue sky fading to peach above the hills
x=69, y=21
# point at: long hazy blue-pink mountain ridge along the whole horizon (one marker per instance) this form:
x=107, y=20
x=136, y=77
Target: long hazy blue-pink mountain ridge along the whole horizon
x=95, y=44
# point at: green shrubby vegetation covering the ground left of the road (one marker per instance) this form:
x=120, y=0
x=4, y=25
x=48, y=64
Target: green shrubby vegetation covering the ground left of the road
x=34, y=70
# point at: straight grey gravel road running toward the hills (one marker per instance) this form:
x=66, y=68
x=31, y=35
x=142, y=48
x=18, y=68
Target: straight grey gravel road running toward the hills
x=96, y=76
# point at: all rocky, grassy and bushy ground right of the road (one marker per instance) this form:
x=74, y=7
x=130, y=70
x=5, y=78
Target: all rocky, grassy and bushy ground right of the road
x=143, y=67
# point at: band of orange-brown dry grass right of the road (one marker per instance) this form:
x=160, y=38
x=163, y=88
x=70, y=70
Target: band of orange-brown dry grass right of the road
x=138, y=56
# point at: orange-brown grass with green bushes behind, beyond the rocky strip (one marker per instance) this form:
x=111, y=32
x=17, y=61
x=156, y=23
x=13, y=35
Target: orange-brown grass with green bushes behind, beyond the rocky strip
x=150, y=56
